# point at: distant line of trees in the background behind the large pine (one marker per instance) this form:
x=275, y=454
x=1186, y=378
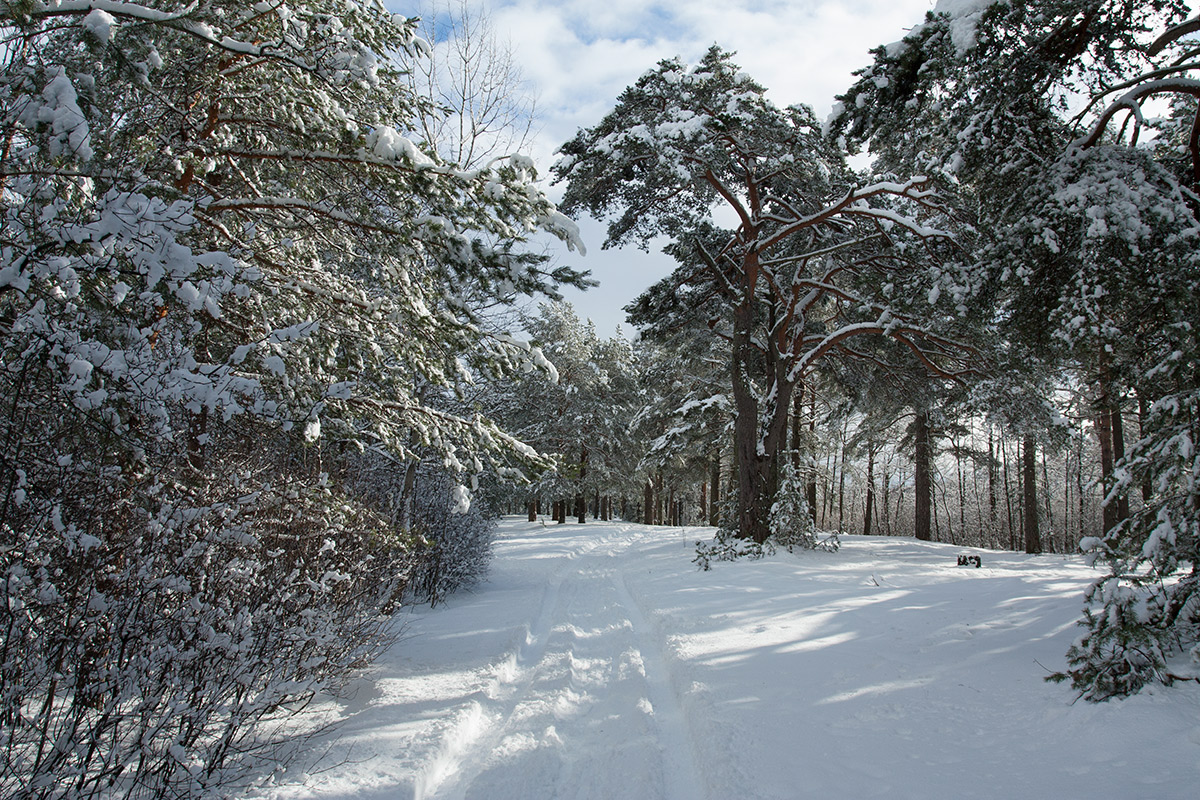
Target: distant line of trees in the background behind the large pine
x=668, y=465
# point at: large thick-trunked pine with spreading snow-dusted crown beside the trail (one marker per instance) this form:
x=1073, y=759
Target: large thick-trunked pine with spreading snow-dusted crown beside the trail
x=797, y=280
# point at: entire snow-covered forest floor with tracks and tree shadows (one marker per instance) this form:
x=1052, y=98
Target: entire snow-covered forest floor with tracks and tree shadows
x=598, y=664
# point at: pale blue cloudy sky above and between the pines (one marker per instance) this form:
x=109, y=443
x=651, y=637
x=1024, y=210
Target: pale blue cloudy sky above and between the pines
x=578, y=56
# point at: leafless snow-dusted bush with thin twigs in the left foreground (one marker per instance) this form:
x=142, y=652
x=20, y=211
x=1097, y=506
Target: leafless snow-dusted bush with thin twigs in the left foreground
x=143, y=652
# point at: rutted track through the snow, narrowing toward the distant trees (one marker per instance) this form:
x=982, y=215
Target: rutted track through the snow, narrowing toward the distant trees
x=581, y=707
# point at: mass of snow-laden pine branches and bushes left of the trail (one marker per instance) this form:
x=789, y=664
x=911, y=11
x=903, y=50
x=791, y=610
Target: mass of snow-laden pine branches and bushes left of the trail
x=229, y=268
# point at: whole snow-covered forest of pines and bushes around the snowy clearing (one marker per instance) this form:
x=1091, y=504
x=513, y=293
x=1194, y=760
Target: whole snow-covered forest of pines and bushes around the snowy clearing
x=279, y=341
